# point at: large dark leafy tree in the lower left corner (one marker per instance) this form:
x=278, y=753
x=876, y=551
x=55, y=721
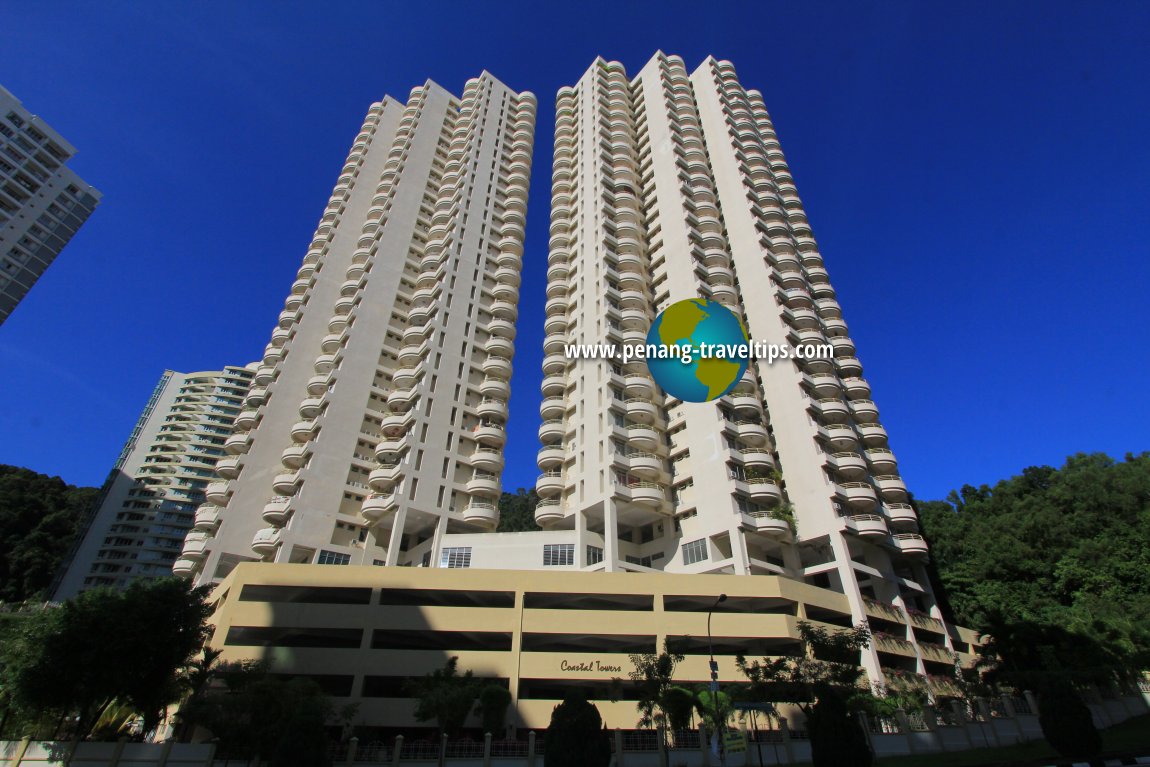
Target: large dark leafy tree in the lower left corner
x=105, y=647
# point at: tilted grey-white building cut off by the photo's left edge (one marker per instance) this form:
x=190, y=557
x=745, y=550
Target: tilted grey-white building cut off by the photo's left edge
x=42, y=202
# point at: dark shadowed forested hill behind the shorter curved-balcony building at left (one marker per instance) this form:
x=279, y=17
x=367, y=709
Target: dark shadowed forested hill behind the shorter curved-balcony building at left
x=40, y=518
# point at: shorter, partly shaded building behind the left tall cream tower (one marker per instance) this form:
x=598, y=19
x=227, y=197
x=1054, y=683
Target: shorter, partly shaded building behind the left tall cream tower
x=150, y=501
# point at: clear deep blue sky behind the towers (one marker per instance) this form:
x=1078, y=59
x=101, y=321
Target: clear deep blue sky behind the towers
x=977, y=178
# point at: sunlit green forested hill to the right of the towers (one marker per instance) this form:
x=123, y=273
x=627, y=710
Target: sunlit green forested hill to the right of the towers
x=1068, y=548
